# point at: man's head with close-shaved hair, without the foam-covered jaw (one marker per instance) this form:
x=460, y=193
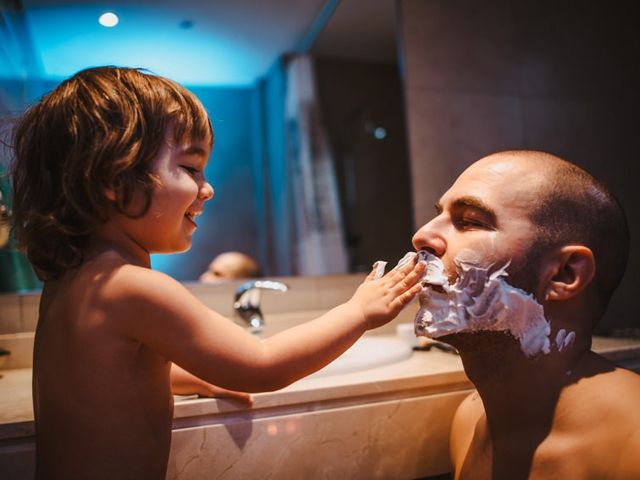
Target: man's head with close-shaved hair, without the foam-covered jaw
x=564, y=233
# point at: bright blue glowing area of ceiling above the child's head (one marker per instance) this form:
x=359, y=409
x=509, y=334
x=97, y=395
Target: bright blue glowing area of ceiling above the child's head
x=69, y=39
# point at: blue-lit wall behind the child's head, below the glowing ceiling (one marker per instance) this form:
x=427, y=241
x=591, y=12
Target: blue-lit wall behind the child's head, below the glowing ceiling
x=229, y=220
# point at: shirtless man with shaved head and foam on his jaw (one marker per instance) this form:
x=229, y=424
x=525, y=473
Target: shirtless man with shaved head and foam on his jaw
x=529, y=249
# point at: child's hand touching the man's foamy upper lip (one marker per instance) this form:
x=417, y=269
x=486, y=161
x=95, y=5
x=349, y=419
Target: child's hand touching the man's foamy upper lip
x=381, y=300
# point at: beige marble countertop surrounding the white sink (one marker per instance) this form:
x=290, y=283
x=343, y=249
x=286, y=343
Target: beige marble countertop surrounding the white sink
x=423, y=373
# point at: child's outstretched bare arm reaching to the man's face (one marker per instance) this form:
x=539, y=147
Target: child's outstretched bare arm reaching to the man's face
x=158, y=311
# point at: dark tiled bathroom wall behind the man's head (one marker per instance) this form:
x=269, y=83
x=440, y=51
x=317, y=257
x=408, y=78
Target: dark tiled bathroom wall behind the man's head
x=560, y=76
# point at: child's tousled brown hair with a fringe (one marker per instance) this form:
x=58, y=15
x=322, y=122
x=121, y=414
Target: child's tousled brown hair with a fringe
x=98, y=131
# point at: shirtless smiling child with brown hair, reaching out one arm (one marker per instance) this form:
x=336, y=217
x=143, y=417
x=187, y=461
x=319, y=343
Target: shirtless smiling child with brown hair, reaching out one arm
x=109, y=167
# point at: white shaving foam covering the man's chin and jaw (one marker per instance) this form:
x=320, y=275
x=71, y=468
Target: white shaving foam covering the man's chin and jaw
x=479, y=301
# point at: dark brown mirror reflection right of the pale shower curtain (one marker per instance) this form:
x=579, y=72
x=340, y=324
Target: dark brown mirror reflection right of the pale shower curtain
x=361, y=101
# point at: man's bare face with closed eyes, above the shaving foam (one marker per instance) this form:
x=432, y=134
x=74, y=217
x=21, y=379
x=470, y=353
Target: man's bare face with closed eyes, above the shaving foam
x=483, y=218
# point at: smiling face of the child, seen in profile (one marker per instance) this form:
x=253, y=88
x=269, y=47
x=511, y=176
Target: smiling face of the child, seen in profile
x=169, y=223
